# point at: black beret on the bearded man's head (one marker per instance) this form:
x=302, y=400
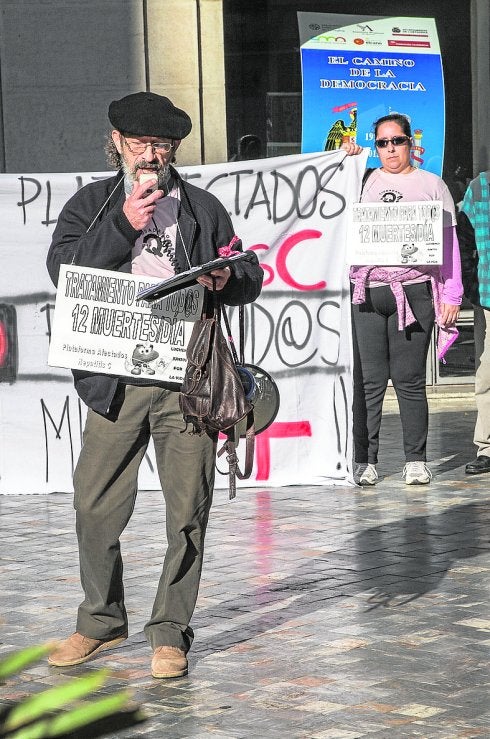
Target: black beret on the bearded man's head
x=148, y=114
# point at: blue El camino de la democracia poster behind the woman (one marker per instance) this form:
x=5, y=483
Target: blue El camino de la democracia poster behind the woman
x=354, y=75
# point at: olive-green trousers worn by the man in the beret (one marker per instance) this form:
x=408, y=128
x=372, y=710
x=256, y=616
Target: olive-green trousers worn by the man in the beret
x=105, y=483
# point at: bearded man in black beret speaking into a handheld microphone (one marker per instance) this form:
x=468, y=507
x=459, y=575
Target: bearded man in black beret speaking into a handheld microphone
x=145, y=220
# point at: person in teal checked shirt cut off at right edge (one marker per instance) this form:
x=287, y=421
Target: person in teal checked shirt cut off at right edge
x=474, y=242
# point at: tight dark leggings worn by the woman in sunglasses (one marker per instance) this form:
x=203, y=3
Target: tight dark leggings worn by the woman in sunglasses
x=382, y=352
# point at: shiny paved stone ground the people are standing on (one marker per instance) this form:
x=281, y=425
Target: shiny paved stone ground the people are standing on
x=324, y=612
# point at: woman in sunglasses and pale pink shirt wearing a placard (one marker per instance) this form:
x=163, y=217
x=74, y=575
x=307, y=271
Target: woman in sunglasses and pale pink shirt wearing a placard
x=394, y=309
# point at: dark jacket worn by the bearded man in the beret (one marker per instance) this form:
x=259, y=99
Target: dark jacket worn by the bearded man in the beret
x=204, y=226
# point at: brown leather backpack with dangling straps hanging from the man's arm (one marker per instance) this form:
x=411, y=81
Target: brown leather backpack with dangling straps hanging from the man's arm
x=212, y=396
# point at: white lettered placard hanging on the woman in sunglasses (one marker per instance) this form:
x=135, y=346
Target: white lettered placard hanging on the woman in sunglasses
x=408, y=233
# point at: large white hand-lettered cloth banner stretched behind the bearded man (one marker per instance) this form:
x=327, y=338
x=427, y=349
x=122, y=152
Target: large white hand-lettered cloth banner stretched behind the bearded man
x=293, y=212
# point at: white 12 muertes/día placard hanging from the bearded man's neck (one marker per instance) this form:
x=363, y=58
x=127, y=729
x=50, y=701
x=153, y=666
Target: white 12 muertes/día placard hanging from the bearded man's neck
x=99, y=325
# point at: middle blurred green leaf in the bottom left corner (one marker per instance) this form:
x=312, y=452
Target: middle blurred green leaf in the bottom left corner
x=54, y=698
